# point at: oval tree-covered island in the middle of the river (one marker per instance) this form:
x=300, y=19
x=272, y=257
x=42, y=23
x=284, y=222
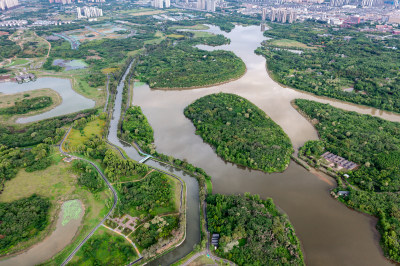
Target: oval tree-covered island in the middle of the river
x=240, y=132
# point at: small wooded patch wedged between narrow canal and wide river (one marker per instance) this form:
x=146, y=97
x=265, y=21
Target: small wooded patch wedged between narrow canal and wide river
x=136, y=127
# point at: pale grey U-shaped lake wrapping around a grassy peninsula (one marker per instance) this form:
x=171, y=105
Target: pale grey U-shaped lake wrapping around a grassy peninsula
x=71, y=100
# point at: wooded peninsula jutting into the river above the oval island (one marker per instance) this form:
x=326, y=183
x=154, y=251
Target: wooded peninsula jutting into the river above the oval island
x=183, y=66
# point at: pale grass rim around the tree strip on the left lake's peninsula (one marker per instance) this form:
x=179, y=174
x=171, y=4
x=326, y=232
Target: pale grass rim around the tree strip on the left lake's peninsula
x=8, y=100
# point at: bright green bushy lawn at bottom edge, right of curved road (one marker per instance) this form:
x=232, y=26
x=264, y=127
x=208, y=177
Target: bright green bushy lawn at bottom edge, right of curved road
x=107, y=248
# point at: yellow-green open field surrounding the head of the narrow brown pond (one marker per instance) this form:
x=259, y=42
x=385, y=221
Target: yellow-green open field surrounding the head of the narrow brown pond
x=59, y=184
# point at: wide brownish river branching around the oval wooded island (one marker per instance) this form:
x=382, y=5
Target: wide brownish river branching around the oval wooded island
x=331, y=234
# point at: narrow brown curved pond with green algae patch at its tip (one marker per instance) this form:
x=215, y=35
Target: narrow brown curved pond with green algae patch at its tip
x=50, y=246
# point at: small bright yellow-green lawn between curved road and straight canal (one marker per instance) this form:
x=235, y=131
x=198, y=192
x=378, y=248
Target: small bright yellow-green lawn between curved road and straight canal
x=76, y=138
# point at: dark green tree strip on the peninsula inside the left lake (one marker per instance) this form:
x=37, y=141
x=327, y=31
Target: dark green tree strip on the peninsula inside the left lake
x=27, y=105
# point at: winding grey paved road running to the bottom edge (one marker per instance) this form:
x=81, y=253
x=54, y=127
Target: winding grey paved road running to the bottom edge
x=109, y=212
